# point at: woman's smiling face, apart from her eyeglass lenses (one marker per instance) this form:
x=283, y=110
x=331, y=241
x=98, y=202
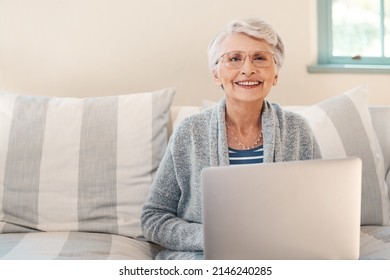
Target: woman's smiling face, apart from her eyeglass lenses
x=248, y=82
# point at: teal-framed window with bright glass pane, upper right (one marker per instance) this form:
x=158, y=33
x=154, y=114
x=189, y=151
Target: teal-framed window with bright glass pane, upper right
x=353, y=34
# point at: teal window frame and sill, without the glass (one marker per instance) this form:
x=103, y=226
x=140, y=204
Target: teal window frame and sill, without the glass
x=329, y=63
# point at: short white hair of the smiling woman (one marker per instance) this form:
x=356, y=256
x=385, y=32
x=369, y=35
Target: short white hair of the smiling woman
x=254, y=28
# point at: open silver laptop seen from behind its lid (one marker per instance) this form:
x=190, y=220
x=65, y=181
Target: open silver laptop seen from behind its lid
x=301, y=210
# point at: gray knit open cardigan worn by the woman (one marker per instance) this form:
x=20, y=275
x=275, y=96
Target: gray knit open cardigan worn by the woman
x=172, y=214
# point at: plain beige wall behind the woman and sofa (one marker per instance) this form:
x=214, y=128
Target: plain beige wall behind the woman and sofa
x=106, y=47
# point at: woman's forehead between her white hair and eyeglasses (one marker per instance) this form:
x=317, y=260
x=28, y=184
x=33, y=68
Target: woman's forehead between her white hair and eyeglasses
x=242, y=42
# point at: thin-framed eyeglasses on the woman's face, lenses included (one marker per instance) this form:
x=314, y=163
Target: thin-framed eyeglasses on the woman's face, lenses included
x=236, y=59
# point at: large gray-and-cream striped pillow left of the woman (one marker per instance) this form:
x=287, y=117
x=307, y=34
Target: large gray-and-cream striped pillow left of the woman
x=70, y=164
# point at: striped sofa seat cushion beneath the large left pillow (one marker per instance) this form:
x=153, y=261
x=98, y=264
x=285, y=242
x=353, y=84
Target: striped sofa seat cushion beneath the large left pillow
x=74, y=246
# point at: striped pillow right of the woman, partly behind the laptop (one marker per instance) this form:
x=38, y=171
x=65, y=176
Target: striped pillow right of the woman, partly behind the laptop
x=343, y=128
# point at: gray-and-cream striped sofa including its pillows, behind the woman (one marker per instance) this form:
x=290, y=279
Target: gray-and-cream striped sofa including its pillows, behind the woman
x=74, y=172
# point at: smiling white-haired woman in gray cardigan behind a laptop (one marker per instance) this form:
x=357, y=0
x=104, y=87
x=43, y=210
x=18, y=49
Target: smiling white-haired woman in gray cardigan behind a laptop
x=243, y=127
